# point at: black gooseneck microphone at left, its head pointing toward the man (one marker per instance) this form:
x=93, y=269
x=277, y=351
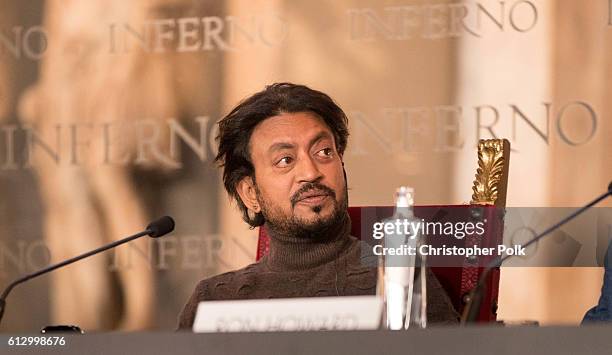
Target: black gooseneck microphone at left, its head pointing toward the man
x=155, y=229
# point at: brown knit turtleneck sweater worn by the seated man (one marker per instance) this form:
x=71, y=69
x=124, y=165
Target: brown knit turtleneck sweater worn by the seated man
x=300, y=267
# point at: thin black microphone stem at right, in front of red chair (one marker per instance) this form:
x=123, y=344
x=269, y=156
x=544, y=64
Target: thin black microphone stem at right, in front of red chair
x=472, y=308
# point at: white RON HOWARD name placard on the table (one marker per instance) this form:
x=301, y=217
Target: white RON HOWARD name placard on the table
x=289, y=314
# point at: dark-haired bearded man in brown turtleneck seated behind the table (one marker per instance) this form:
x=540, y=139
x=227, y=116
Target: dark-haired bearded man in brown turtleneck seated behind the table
x=281, y=151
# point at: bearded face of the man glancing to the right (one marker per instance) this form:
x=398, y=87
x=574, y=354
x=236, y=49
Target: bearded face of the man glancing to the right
x=299, y=179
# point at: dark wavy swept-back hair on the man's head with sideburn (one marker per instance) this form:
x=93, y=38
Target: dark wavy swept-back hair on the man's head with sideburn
x=236, y=128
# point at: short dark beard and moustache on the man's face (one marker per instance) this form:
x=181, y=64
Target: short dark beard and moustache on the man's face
x=318, y=228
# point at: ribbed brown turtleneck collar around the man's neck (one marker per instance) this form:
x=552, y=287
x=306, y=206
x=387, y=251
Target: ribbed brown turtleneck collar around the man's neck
x=290, y=253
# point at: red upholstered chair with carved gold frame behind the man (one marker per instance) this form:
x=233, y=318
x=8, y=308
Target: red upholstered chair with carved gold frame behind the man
x=488, y=202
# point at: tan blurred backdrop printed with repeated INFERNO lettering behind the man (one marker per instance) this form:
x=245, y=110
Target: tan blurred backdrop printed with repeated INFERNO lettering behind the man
x=108, y=111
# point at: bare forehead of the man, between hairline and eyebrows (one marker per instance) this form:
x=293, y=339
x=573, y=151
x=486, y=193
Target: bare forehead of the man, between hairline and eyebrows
x=294, y=128
